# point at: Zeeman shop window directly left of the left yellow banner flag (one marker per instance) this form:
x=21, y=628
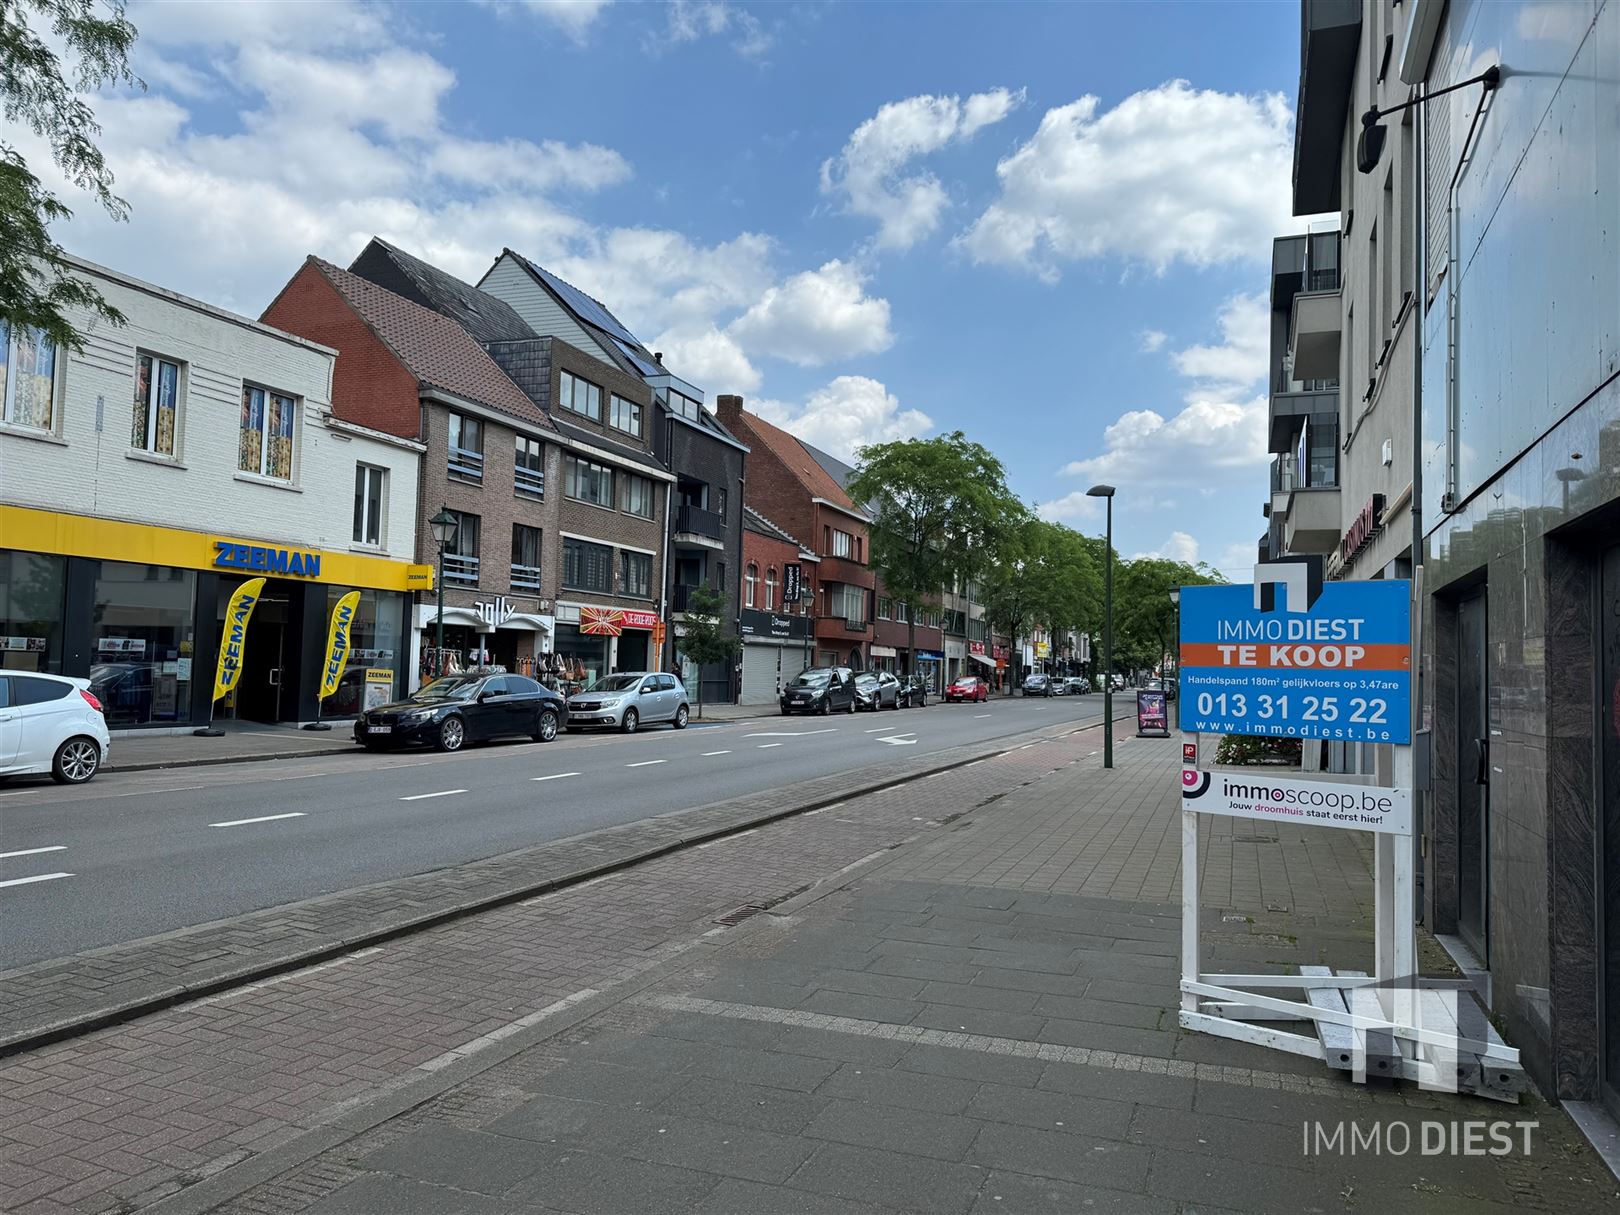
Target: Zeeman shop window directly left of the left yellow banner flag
x=143, y=631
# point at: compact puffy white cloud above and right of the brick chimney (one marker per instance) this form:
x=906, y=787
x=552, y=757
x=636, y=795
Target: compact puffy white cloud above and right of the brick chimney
x=817, y=317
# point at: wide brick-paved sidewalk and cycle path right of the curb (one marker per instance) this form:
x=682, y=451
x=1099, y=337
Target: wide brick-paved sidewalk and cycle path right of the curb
x=979, y=1020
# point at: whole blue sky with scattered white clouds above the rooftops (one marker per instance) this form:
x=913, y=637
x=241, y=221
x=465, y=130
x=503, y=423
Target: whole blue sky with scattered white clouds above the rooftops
x=1046, y=226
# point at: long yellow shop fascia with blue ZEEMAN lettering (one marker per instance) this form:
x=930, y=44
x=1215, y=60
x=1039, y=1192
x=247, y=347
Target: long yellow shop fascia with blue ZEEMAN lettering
x=147, y=545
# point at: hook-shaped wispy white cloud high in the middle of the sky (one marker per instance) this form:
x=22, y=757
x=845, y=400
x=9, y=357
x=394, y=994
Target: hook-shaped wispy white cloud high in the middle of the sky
x=869, y=173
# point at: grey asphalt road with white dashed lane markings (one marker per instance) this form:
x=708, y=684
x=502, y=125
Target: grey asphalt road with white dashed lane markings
x=137, y=855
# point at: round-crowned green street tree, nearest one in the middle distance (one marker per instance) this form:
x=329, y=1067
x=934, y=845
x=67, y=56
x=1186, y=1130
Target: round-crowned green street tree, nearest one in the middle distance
x=940, y=506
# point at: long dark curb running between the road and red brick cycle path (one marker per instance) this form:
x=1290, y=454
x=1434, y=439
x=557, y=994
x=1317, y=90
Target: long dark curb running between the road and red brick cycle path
x=260, y=970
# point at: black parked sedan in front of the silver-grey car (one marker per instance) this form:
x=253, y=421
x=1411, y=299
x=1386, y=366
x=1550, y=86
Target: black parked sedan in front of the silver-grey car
x=456, y=710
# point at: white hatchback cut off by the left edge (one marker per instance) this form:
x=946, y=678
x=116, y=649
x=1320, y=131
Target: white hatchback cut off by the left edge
x=51, y=725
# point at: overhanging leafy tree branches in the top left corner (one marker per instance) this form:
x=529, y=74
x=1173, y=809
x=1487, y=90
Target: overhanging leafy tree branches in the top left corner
x=41, y=93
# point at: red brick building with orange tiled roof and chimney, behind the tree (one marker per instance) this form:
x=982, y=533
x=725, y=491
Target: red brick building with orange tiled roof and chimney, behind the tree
x=788, y=487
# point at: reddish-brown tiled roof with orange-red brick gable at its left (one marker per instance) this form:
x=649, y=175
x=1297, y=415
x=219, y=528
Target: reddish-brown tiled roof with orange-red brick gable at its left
x=432, y=347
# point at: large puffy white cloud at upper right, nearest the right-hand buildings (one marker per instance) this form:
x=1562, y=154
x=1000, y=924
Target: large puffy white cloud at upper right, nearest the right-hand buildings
x=1170, y=174
